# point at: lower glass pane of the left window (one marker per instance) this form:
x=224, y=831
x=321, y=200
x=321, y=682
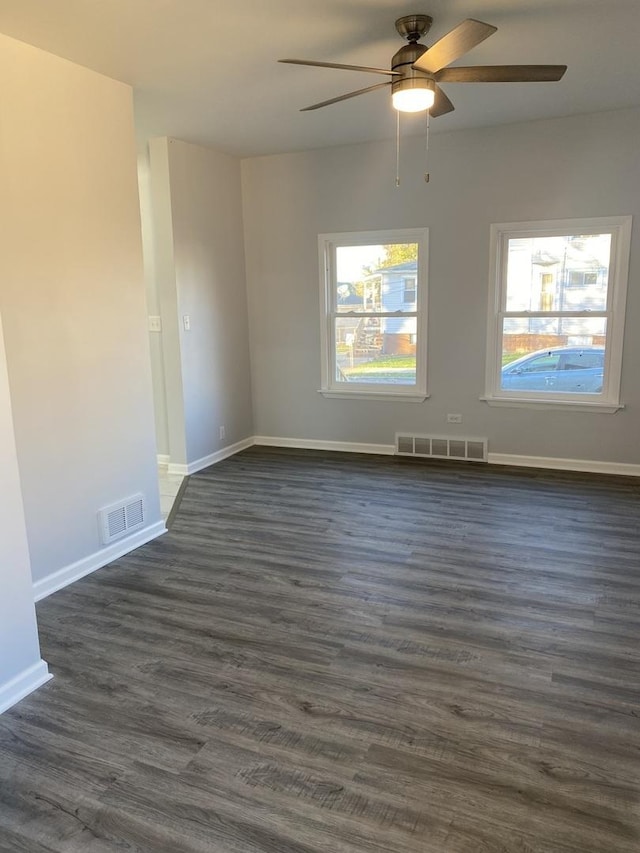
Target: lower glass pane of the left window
x=376, y=350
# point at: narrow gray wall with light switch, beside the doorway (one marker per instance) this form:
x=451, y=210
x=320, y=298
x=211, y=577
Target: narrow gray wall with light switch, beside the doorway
x=199, y=267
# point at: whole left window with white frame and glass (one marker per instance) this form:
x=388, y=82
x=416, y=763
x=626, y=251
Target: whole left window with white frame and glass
x=373, y=303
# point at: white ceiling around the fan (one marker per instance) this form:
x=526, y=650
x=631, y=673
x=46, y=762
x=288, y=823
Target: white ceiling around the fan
x=205, y=70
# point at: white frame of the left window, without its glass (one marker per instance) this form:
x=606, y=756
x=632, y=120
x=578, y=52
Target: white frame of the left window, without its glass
x=327, y=245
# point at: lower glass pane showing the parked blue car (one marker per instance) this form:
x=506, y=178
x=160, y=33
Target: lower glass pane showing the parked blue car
x=553, y=355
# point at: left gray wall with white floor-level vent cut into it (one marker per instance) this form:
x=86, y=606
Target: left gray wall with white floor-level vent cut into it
x=72, y=302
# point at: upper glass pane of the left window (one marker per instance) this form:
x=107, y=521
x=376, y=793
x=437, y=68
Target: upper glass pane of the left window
x=376, y=278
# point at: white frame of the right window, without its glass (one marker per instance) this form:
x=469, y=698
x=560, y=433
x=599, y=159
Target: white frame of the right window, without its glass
x=609, y=400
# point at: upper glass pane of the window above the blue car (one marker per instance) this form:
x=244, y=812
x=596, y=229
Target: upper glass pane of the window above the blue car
x=567, y=273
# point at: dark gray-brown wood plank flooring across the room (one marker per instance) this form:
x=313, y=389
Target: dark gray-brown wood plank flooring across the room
x=331, y=653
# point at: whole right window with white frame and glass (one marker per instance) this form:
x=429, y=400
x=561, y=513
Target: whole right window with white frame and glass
x=556, y=317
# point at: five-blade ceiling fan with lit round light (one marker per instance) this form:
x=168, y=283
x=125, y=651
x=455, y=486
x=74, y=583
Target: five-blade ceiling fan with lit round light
x=416, y=70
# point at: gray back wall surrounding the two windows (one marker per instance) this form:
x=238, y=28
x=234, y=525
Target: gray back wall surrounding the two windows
x=581, y=166
